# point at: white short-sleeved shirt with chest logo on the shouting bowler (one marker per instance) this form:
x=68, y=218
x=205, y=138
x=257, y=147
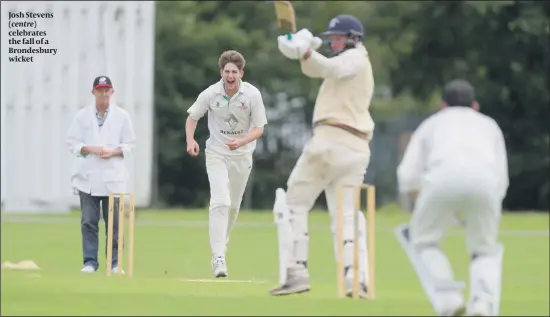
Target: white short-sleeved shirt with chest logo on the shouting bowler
x=229, y=118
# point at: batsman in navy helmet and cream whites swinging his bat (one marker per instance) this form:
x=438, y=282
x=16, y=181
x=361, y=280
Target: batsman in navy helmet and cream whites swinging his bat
x=337, y=153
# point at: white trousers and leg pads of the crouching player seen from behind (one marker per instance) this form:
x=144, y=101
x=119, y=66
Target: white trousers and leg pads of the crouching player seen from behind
x=448, y=189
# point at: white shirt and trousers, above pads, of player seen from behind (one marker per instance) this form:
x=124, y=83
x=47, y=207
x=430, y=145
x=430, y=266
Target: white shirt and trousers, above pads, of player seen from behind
x=457, y=160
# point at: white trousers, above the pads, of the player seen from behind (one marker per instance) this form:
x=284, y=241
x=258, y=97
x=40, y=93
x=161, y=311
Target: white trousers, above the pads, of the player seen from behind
x=451, y=188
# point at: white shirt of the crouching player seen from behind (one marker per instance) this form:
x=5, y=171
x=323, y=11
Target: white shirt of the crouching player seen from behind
x=457, y=136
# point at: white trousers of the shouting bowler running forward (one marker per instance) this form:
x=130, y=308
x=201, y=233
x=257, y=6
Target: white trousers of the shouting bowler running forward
x=228, y=176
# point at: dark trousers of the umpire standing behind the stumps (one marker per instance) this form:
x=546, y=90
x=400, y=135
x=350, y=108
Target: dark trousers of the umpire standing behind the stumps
x=89, y=225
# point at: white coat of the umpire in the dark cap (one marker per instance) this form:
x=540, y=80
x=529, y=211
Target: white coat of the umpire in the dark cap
x=91, y=174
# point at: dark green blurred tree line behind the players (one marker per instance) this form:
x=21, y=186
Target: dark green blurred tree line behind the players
x=415, y=47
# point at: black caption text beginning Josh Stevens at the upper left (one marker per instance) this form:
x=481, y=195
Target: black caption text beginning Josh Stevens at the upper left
x=26, y=40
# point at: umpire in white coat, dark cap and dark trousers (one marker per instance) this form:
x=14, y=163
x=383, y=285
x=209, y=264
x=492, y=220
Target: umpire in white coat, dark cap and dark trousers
x=101, y=137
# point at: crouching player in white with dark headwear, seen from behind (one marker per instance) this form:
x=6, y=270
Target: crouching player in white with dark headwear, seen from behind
x=456, y=162
